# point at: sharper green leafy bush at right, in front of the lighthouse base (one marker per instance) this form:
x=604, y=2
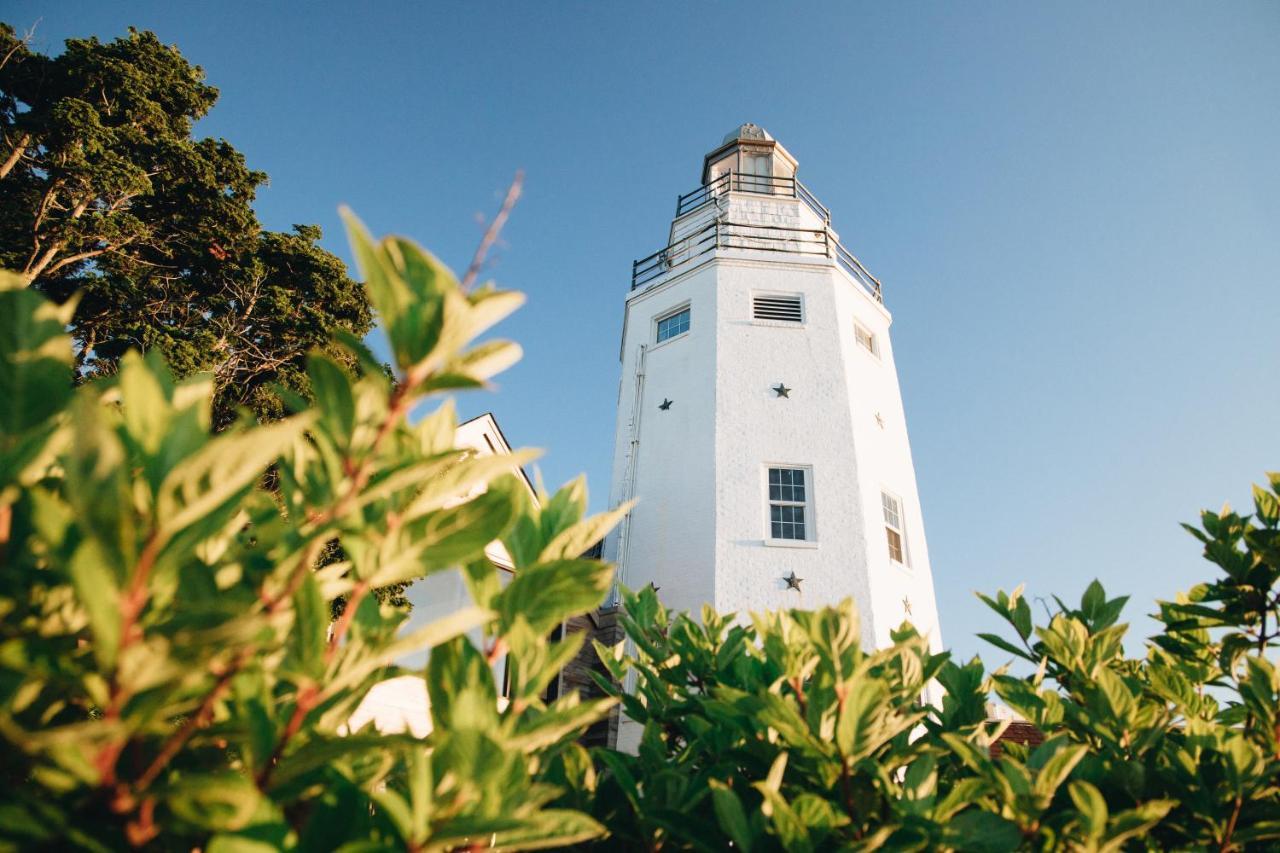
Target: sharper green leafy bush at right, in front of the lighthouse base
x=784, y=733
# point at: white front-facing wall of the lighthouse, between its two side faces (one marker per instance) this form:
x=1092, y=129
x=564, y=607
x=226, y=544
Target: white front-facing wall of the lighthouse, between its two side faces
x=811, y=428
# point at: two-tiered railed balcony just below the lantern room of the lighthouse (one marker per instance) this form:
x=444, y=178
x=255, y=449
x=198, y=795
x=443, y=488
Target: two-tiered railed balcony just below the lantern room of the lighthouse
x=716, y=232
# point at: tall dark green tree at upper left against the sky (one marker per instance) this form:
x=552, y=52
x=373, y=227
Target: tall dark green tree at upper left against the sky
x=106, y=194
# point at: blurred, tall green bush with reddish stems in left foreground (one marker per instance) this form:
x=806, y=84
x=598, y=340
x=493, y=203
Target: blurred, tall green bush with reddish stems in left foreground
x=171, y=676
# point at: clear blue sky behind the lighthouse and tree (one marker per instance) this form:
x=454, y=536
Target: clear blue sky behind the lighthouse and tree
x=1076, y=213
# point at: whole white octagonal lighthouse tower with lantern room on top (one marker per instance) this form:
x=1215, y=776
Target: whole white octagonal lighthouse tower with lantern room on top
x=761, y=425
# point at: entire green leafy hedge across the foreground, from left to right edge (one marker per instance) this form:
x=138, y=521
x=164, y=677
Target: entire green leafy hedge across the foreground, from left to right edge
x=171, y=674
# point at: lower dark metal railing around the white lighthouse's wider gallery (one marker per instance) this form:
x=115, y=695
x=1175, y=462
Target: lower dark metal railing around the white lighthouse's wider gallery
x=766, y=239
